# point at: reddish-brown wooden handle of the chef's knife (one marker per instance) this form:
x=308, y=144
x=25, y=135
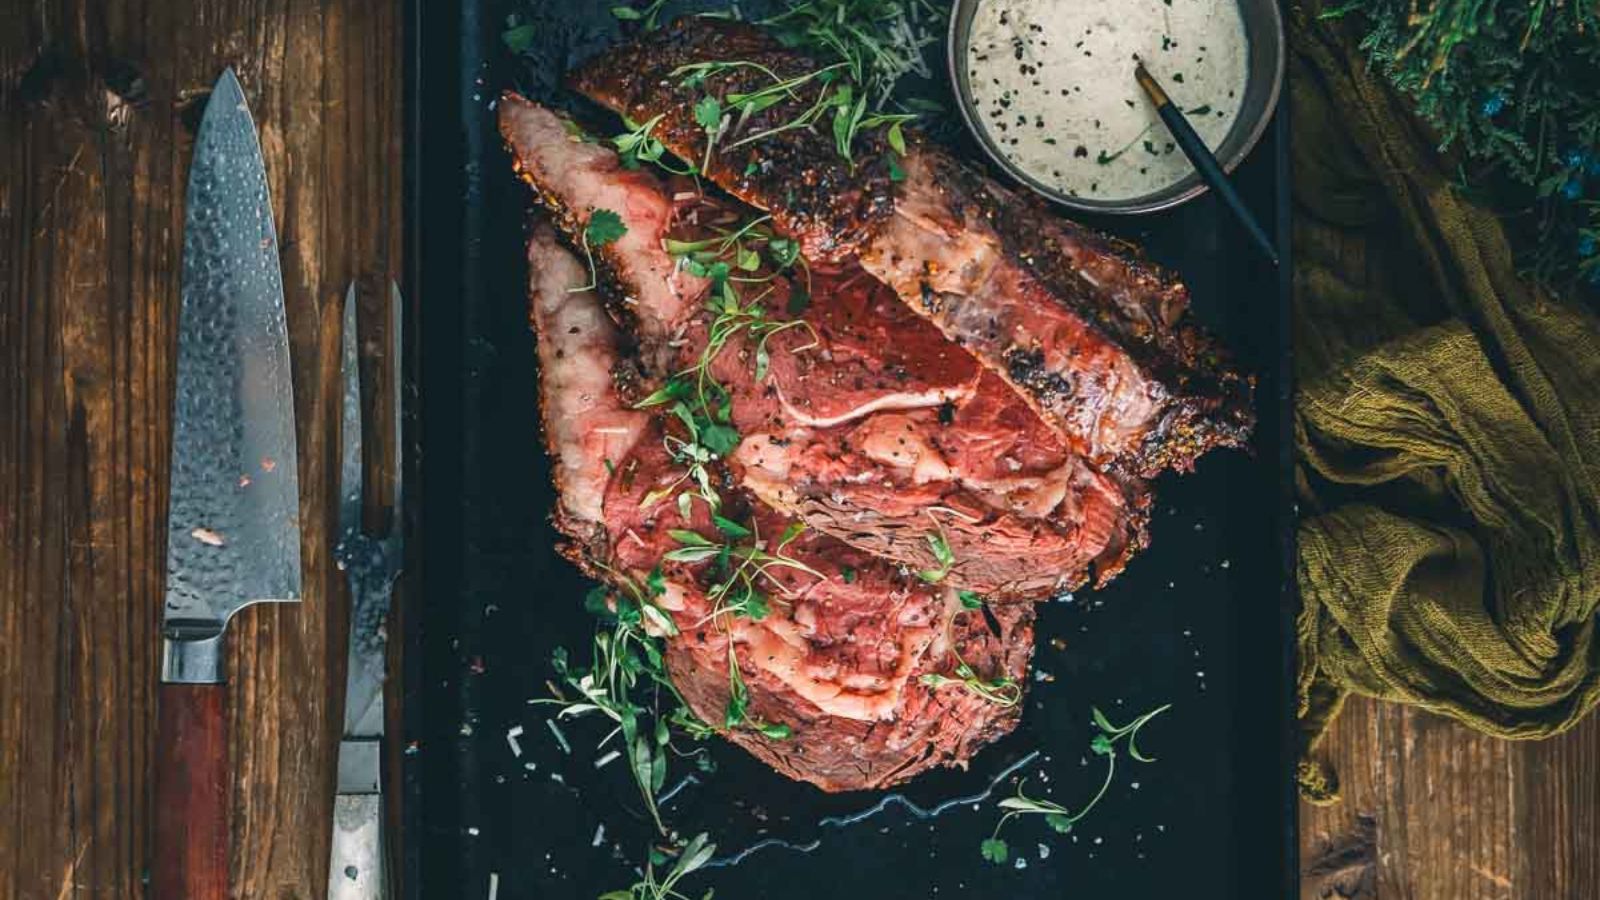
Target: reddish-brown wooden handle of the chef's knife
x=191, y=795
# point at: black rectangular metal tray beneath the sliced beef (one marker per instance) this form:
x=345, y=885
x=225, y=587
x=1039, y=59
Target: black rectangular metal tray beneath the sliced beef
x=1204, y=621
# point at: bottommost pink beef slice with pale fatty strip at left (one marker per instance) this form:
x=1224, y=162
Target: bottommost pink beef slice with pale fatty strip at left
x=839, y=656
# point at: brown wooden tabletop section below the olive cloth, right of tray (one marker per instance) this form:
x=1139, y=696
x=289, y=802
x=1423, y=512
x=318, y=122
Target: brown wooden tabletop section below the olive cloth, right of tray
x=1434, y=811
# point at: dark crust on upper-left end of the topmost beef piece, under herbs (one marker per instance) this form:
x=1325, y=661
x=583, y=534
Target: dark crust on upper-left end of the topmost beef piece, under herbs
x=830, y=204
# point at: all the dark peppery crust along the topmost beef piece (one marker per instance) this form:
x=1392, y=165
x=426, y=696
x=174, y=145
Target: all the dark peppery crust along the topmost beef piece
x=834, y=211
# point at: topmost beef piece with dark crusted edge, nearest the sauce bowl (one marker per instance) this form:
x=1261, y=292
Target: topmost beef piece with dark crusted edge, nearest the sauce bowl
x=1081, y=326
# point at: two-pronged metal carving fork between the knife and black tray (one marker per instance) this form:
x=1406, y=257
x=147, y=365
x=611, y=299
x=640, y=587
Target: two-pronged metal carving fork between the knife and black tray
x=370, y=563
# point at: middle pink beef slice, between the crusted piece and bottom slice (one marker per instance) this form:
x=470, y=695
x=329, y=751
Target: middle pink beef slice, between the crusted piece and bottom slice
x=865, y=422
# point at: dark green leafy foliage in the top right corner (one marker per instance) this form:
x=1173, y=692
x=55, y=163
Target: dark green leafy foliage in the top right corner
x=1516, y=86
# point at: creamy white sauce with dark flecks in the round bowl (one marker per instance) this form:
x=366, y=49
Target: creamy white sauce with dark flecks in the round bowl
x=1055, y=92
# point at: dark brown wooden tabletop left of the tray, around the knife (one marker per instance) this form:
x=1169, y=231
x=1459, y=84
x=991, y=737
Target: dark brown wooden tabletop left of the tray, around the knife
x=98, y=102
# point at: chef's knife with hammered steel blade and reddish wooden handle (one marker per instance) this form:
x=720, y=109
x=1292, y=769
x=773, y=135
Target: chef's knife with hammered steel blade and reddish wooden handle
x=233, y=534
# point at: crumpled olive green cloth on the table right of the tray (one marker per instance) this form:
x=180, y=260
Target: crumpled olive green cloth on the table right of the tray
x=1449, y=430
